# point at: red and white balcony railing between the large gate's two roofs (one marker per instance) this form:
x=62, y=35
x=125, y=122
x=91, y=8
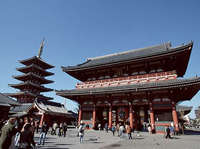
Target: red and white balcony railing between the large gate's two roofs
x=128, y=80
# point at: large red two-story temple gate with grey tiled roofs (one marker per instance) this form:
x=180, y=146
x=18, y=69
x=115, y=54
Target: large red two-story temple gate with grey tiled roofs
x=136, y=86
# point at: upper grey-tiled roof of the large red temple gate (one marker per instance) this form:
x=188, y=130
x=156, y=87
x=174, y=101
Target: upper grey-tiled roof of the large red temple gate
x=132, y=55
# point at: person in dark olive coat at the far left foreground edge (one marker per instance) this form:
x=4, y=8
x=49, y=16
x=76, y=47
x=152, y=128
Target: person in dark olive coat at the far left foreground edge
x=8, y=131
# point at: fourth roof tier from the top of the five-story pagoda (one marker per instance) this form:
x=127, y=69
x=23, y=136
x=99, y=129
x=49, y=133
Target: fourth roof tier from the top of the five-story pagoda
x=30, y=85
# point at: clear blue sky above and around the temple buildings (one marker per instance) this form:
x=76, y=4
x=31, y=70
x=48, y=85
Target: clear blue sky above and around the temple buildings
x=78, y=29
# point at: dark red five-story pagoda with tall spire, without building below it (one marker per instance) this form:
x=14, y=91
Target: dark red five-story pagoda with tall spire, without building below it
x=33, y=79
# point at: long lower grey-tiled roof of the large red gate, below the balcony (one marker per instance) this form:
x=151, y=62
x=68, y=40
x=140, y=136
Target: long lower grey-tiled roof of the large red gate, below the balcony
x=139, y=87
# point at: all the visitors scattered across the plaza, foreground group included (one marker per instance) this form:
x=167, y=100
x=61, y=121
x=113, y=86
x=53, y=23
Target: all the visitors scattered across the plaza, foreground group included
x=19, y=133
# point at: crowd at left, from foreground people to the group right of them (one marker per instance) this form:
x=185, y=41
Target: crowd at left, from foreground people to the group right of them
x=18, y=133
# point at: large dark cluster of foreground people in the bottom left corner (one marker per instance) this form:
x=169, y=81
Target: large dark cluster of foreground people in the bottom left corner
x=17, y=133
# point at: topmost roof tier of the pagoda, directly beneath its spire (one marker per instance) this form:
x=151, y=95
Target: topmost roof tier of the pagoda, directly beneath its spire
x=37, y=61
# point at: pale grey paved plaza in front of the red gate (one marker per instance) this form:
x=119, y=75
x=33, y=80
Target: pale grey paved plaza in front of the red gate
x=102, y=140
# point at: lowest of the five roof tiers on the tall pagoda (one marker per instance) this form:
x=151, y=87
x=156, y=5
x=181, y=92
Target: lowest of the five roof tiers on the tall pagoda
x=29, y=94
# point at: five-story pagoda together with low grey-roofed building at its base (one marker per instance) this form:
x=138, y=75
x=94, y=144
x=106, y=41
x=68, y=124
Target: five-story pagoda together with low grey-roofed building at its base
x=33, y=102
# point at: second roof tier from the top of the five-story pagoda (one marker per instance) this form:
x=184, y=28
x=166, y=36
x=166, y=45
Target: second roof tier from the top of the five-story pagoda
x=35, y=68
